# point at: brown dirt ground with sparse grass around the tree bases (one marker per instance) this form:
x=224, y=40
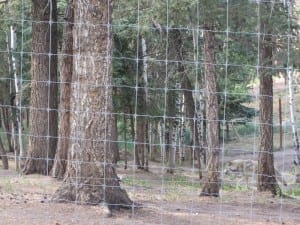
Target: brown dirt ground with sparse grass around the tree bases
x=165, y=199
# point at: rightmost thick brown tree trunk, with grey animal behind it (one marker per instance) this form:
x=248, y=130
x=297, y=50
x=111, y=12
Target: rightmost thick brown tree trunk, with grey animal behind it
x=266, y=180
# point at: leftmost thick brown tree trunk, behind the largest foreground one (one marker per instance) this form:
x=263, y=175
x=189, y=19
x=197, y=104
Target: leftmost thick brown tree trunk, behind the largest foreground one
x=43, y=101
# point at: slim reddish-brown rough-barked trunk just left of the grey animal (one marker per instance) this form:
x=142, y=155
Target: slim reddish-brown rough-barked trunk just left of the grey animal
x=211, y=179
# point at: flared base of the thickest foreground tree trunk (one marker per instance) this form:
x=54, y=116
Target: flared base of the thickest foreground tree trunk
x=90, y=193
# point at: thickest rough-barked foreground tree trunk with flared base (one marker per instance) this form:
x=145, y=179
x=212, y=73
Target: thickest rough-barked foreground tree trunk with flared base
x=91, y=177
